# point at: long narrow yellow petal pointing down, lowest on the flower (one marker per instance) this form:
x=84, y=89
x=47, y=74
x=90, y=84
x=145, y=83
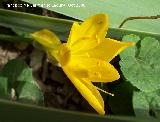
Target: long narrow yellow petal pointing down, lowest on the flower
x=88, y=91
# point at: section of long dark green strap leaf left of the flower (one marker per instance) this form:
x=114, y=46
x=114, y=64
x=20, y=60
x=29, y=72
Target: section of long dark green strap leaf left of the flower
x=24, y=23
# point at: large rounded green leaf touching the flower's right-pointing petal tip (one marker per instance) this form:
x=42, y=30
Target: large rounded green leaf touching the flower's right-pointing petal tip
x=141, y=66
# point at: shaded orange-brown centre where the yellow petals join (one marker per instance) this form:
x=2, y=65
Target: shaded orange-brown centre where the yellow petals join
x=64, y=54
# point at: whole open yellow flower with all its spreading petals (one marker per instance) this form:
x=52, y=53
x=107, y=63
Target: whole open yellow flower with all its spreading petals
x=86, y=55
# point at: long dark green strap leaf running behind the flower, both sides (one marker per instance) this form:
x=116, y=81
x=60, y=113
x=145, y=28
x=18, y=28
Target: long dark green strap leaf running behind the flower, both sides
x=25, y=23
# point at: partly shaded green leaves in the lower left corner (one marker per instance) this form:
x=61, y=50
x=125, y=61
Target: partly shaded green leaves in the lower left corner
x=18, y=76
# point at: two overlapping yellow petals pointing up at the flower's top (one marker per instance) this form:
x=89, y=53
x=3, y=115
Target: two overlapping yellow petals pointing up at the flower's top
x=93, y=27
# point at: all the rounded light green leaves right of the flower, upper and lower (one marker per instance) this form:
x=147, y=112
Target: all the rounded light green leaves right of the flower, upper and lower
x=140, y=66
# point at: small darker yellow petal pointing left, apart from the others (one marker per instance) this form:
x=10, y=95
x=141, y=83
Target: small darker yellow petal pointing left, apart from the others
x=46, y=38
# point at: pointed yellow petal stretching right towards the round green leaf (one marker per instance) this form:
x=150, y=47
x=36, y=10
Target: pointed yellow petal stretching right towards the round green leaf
x=106, y=50
